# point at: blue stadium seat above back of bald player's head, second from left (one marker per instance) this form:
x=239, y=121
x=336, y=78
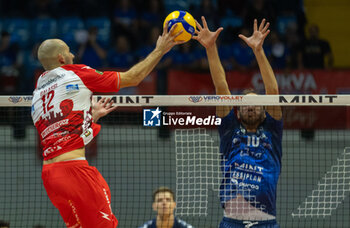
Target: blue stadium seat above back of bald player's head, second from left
x=43, y=29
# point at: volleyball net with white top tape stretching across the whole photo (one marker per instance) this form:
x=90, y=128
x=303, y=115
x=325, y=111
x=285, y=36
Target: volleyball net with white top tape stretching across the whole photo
x=173, y=141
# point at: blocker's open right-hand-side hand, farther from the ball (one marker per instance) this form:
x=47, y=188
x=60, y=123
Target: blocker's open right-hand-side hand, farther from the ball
x=256, y=40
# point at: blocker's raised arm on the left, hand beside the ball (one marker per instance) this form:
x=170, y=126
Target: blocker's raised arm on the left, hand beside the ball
x=208, y=39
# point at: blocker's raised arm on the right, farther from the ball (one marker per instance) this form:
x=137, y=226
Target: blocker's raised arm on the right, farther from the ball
x=255, y=41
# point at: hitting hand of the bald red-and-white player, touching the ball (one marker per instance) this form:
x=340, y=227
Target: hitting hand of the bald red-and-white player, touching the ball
x=166, y=41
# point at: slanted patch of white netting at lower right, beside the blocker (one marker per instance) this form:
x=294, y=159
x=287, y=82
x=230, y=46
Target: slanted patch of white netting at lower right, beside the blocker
x=330, y=191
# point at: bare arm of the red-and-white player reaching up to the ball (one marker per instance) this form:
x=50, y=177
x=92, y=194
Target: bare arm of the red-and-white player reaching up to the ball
x=138, y=72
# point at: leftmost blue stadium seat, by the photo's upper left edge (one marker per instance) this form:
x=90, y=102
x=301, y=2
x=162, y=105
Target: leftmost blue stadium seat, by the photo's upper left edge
x=19, y=28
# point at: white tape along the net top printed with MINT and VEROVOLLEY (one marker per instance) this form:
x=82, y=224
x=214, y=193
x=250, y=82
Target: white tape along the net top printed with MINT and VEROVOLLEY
x=205, y=100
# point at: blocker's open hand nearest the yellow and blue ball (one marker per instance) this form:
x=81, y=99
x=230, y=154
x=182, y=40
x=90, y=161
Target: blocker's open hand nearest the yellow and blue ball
x=204, y=36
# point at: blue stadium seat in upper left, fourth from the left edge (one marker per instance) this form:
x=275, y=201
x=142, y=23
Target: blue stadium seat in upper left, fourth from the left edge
x=104, y=28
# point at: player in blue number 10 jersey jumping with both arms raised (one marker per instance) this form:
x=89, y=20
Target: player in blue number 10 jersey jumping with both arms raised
x=250, y=141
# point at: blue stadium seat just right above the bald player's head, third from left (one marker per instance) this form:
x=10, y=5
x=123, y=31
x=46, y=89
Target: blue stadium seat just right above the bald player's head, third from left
x=67, y=27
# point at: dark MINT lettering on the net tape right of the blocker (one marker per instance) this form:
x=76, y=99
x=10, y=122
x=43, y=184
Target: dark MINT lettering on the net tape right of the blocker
x=309, y=99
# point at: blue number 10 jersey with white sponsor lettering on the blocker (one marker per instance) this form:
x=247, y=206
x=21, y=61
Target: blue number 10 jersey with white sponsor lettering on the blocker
x=251, y=162
